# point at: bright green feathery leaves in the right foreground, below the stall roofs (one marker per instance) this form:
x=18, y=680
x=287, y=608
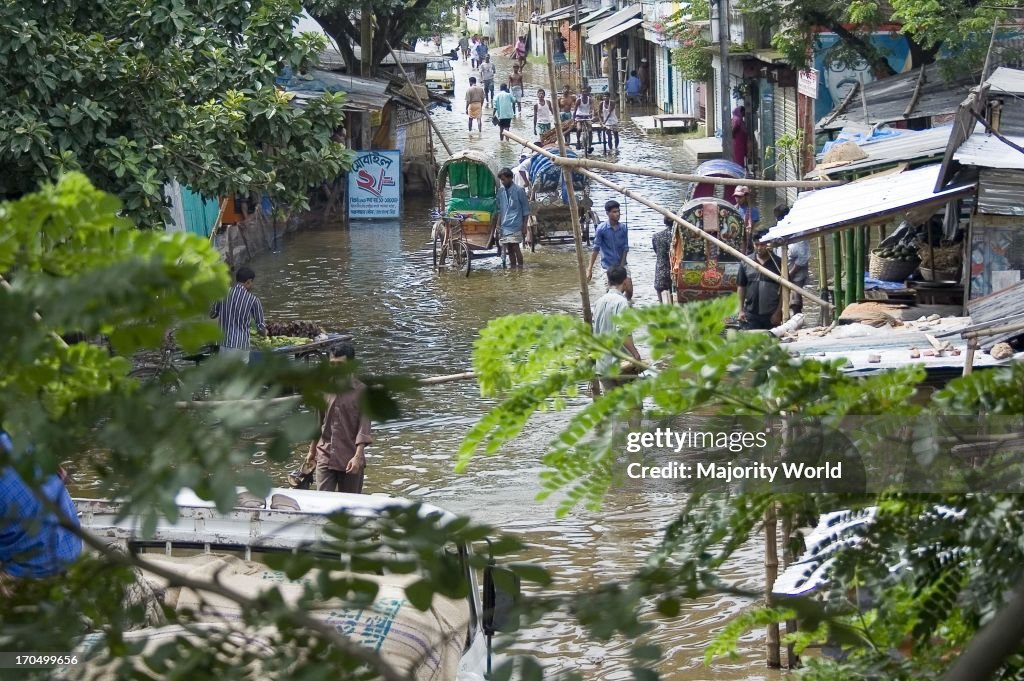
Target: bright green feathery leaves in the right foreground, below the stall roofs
x=959, y=552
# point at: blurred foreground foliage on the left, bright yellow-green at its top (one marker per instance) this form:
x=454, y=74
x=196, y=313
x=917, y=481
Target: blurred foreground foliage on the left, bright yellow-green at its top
x=71, y=264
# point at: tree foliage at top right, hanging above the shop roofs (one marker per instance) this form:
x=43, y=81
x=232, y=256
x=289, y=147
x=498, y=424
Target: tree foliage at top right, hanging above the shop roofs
x=960, y=30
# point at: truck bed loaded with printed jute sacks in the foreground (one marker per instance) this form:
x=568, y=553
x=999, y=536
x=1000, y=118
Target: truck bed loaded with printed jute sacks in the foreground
x=451, y=642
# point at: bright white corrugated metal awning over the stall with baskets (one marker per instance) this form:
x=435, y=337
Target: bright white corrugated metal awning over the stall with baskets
x=862, y=203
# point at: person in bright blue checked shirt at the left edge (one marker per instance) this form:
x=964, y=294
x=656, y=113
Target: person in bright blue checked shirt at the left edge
x=33, y=544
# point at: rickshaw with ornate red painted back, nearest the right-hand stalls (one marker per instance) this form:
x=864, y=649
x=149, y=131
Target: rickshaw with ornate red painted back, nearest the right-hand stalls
x=700, y=270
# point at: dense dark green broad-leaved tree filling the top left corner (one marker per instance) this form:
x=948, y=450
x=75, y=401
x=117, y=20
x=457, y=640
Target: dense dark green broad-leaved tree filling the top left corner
x=139, y=94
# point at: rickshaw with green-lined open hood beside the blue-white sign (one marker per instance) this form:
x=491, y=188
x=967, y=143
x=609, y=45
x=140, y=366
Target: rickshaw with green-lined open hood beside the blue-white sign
x=466, y=225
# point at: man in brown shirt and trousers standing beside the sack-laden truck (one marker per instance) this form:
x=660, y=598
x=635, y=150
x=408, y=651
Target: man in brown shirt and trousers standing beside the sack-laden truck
x=345, y=436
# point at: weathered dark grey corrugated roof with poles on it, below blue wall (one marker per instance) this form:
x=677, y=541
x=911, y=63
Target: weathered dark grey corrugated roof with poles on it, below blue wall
x=888, y=99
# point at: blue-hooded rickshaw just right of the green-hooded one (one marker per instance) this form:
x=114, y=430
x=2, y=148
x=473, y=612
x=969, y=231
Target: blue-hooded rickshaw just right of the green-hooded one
x=549, y=203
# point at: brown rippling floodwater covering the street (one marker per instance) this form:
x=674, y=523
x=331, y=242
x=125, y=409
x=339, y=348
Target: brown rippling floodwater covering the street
x=375, y=281
